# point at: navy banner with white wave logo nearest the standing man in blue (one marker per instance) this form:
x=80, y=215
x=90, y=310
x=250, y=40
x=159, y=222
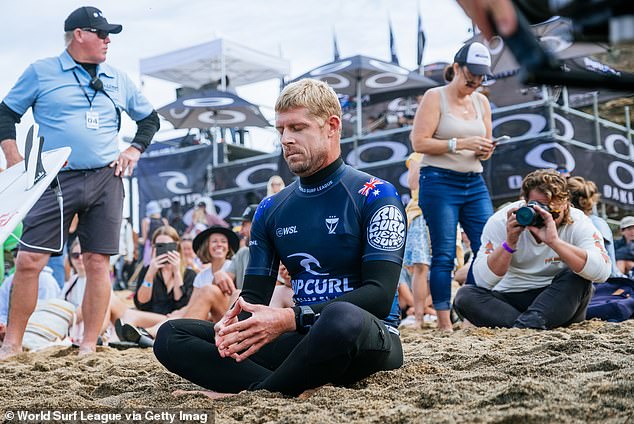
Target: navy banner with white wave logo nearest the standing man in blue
x=177, y=176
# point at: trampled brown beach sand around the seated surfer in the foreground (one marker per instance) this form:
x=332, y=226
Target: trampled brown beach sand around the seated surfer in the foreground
x=584, y=373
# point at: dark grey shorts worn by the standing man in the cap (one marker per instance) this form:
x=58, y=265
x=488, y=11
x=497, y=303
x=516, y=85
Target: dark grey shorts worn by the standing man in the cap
x=96, y=195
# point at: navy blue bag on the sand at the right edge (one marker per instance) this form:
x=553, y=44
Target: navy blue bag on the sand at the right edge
x=613, y=300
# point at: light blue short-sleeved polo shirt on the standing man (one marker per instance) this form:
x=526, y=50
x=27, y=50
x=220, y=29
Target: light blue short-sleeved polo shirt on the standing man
x=60, y=105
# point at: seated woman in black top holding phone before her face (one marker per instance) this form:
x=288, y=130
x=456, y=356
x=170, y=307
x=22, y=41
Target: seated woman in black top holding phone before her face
x=166, y=284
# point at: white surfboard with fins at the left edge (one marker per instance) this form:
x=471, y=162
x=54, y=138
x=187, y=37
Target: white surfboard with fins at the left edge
x=21, y=188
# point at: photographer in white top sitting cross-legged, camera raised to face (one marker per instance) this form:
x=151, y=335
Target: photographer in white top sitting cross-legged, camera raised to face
x=536, y=263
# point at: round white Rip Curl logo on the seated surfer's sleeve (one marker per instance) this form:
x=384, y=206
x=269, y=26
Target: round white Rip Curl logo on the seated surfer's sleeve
x=387, y=229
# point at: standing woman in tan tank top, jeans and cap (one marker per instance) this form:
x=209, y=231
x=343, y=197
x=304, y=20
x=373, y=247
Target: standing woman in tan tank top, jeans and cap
x=452, y=129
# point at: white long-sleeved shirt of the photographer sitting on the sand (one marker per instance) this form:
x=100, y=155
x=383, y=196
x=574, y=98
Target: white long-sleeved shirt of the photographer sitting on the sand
x=534, y=264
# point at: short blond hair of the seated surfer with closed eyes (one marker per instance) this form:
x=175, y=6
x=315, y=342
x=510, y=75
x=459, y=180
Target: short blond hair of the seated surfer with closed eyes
x=316, y=96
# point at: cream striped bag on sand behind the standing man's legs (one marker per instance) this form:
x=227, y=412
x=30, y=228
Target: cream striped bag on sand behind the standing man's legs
x=49, y=323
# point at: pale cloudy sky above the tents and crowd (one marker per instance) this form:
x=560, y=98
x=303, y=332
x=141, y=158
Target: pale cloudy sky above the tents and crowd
x=301, y=30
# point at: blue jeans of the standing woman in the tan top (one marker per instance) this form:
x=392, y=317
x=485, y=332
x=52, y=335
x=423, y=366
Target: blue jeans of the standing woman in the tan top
x=446, y=198
